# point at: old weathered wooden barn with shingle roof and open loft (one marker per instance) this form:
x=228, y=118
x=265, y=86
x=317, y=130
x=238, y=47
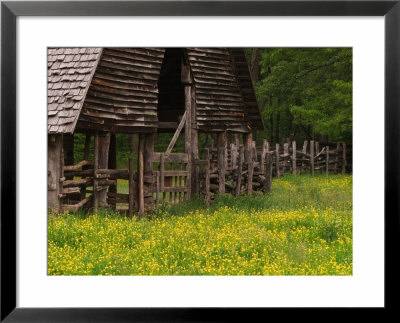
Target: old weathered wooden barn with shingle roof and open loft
x=104, y=91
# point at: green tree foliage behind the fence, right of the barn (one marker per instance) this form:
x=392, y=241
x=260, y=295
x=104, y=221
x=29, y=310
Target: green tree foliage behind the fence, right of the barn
x=306, y=93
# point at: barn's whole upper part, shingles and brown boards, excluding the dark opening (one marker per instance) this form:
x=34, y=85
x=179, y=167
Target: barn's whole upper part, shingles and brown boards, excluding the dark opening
x=116, y=89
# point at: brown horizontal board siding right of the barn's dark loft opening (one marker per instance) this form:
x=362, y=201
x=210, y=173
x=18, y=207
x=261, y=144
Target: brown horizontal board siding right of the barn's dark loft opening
x=219, y=103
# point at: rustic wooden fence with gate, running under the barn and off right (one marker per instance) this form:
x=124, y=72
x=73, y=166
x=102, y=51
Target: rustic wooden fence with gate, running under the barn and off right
x=84, y=184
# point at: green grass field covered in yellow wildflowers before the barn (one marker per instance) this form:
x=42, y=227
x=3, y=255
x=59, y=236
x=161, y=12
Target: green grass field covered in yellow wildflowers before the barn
x=304, y=227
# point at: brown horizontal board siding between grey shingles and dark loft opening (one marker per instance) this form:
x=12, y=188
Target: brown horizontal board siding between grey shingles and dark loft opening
x=123, y=94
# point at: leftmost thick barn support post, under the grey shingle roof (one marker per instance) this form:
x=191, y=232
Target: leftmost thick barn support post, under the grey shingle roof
x=55, y=146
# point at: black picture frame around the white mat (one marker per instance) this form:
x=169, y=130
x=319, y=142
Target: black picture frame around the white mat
x=10, y=10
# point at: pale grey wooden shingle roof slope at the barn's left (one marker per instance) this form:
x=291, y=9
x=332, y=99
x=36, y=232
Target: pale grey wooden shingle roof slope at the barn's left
x=70, y=71
